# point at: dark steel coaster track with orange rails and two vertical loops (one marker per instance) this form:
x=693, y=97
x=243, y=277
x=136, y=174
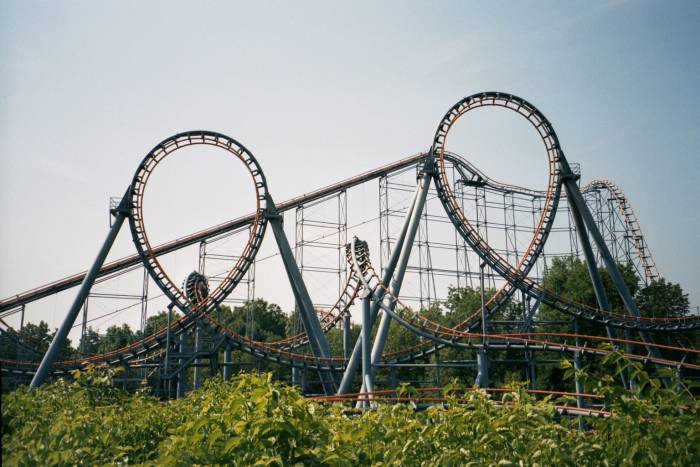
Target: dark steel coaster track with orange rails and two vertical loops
x=379, y=300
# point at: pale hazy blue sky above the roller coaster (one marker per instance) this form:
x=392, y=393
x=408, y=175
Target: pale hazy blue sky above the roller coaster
x=320, y=91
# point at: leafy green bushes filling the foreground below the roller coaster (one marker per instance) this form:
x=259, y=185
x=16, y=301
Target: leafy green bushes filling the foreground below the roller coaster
x=252, y=420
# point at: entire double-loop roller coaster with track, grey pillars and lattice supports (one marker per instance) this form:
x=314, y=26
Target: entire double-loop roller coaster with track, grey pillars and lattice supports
x=602, y=229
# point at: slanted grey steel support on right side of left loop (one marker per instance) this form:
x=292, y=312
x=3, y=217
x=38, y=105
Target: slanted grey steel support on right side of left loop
x=312, y=326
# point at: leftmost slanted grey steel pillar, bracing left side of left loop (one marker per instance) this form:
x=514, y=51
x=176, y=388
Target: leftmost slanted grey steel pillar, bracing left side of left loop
x=57, y=342
